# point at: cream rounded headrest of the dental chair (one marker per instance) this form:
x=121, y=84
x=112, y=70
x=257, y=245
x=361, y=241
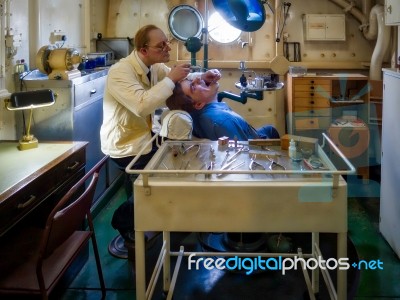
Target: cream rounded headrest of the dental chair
x=177, y=125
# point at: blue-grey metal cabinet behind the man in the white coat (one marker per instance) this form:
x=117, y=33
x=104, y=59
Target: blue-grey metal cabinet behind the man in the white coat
x=76, y=116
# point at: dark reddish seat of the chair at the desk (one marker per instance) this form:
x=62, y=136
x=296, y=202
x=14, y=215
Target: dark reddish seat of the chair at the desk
x=19, y=267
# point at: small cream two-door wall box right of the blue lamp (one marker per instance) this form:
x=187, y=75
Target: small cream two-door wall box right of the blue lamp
x=330, y=27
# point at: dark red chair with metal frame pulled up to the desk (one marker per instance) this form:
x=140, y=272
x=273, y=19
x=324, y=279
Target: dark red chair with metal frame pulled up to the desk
x=39, y=257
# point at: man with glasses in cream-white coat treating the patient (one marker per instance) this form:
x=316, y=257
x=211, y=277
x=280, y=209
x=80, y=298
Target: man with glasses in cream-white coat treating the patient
x=136, y=86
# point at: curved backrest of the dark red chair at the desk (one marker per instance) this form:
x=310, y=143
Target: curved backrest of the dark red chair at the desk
x=70, y=212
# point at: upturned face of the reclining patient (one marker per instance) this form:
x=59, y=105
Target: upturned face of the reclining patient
x=199, y=91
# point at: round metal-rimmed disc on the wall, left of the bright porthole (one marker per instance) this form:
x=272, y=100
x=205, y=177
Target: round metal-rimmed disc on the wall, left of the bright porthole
x=185, y=21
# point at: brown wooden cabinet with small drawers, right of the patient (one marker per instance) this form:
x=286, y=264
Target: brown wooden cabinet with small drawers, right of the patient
x=333, y=103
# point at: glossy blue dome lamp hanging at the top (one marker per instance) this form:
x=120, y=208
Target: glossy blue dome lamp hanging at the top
x=246, y=15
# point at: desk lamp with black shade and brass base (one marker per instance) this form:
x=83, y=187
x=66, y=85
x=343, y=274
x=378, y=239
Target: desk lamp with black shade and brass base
x=29, y=100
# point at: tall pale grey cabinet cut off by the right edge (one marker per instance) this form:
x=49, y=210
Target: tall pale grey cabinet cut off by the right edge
x=390, y=177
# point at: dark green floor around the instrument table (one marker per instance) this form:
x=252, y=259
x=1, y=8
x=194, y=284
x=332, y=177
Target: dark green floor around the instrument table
x=363, y=231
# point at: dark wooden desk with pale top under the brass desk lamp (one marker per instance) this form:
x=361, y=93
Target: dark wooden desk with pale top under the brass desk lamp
x=32, y=180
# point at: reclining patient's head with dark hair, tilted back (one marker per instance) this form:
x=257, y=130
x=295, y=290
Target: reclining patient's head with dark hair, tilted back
x=192, y=94
